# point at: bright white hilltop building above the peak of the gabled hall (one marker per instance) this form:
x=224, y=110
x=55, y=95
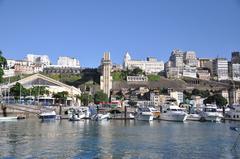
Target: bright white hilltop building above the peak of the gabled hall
x=38, y=59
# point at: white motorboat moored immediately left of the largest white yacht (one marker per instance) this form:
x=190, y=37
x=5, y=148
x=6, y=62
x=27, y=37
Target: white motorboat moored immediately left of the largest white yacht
x=144, y=114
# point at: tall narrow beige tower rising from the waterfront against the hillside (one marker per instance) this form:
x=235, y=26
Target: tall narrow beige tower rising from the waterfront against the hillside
x=106, y=78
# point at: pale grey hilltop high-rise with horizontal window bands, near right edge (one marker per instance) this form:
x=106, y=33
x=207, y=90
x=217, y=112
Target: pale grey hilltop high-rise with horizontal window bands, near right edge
x=220, y=68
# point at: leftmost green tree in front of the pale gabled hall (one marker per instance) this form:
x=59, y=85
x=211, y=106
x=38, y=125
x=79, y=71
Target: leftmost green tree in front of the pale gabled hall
x=18, y=89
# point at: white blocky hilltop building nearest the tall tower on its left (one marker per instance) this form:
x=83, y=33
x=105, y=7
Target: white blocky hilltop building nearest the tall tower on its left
x=68, y=62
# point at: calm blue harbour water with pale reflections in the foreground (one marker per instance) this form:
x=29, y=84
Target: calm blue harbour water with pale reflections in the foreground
x=116, y=139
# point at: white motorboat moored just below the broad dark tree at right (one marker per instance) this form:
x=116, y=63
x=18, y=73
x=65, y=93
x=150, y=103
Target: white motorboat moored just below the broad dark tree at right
x=209, y=113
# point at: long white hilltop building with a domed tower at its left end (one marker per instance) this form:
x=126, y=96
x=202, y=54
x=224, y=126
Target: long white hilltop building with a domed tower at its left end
x=150, y=66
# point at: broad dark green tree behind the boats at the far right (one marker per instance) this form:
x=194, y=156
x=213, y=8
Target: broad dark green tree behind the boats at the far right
x=218, y=99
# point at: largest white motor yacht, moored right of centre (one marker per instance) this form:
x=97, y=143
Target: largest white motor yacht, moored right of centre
x=172, y=112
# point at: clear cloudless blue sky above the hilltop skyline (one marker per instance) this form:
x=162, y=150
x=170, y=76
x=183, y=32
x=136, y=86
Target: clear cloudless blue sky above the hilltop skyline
x=86, y=28
